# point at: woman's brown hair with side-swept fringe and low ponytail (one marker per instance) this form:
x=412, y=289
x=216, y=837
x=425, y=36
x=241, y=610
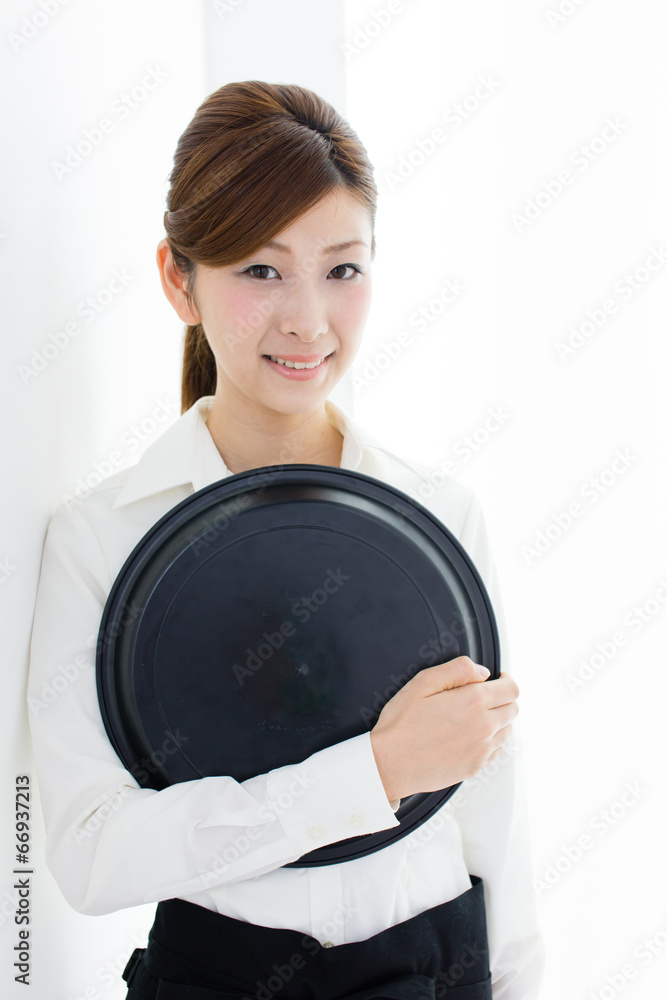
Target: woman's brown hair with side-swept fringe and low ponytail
x=253, y=159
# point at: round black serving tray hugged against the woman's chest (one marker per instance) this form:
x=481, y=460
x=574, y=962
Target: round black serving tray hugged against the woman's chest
x=273, y=614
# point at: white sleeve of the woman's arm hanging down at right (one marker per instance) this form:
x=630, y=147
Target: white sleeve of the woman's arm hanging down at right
x=491, y=812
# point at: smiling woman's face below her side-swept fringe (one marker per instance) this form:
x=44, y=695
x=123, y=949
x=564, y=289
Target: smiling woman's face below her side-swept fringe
x=302, y=297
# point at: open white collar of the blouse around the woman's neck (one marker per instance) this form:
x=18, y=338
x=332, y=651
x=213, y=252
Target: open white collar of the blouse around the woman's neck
x=186, y=454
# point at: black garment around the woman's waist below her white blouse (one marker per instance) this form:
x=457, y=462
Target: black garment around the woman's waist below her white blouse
x=194, y=953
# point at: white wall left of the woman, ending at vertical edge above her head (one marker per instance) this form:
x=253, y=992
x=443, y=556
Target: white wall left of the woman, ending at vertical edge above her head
x=85, y=386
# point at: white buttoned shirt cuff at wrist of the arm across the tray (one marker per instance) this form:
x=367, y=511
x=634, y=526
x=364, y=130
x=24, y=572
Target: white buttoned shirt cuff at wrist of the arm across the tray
x=334, y=794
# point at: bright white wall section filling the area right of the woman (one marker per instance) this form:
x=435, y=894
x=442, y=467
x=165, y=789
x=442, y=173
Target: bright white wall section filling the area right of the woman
x=492, y=349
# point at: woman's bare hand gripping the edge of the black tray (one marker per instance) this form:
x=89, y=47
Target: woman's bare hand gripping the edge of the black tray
x=443, y=726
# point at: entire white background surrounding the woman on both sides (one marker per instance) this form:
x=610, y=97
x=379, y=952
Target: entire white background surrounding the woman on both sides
x=593, y=588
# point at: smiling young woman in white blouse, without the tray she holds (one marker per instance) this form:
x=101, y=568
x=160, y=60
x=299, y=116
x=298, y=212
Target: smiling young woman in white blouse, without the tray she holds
x=267, y=260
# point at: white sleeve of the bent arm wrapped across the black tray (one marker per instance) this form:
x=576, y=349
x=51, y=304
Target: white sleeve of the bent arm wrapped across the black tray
x=112, y=844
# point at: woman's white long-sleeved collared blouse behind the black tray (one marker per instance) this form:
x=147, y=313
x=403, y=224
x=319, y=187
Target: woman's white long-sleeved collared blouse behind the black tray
x=221, y=843
